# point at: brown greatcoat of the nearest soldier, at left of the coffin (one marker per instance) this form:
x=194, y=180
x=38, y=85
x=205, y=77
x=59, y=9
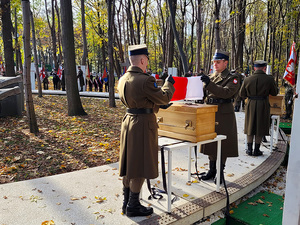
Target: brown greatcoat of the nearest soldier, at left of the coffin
x=139, y=138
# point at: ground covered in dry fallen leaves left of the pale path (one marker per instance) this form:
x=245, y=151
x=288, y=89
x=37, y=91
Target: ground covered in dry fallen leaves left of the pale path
x=64, y=143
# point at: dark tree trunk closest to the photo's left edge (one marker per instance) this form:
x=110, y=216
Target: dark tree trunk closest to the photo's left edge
x=7, y=38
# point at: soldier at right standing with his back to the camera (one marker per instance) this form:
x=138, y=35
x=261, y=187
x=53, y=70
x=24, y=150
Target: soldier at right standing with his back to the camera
x=257, y=89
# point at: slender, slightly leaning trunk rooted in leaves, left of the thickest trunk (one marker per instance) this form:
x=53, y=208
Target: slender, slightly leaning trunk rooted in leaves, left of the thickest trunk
x=26, y=72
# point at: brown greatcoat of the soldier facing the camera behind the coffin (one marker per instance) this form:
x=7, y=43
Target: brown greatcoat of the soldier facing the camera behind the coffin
x=223, y=86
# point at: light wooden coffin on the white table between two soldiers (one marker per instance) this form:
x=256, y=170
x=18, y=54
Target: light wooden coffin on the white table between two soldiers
x=189, y=122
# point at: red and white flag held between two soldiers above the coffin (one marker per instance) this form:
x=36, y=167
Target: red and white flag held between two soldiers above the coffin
x=188, y=88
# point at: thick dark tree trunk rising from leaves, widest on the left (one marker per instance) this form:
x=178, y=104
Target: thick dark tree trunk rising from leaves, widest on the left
x=74, y=103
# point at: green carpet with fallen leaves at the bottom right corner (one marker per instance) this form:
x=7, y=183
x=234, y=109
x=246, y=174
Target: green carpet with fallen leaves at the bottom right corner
x=261, y=209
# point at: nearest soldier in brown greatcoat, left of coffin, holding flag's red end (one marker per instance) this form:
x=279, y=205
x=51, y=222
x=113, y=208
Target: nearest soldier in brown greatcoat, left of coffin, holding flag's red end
x=139, y=136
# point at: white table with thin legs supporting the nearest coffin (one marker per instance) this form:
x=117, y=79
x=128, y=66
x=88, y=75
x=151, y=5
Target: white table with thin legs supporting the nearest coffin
x=174, y=144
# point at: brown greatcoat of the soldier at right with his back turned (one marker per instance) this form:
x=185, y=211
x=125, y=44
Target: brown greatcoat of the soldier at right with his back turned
x=257, y=111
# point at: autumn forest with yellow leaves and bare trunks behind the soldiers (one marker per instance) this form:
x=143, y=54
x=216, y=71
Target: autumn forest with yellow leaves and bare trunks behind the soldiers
x=248, y=29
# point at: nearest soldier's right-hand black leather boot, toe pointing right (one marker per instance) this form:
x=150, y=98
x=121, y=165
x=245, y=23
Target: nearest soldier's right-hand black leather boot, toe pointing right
x=134, y=207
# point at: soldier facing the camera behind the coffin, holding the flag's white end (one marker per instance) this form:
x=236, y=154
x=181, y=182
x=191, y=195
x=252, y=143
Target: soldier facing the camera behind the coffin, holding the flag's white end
x=221, y=87
